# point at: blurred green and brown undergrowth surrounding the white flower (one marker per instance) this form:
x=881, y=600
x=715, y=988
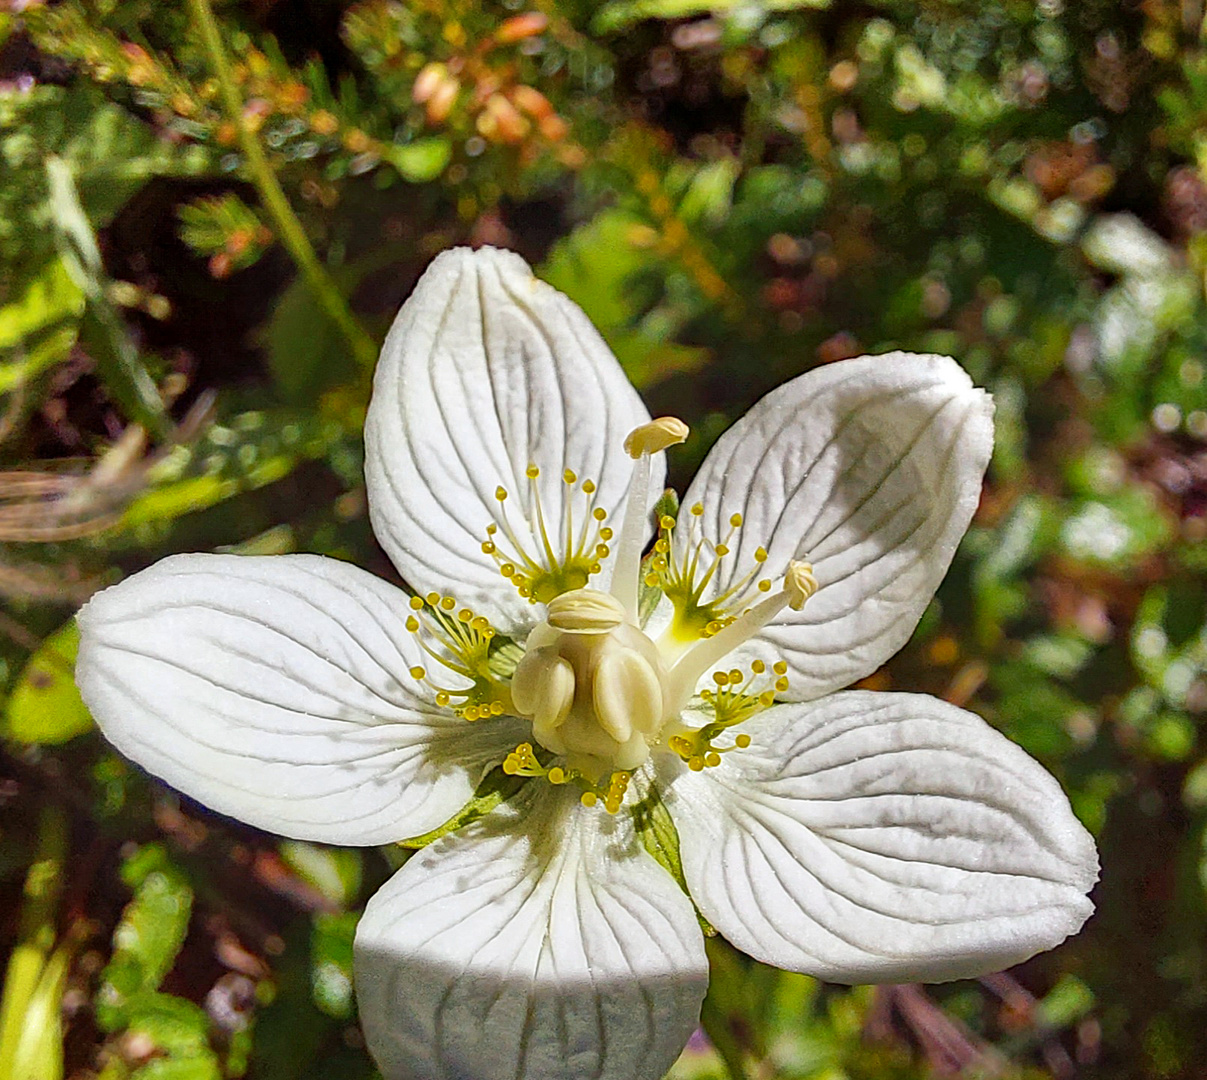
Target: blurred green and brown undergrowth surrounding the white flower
x=736, y=192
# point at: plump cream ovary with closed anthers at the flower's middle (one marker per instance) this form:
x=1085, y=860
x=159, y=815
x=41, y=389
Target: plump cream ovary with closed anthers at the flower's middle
x=593, y=685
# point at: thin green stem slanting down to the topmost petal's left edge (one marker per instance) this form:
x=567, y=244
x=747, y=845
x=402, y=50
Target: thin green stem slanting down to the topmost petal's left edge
x=289, y=229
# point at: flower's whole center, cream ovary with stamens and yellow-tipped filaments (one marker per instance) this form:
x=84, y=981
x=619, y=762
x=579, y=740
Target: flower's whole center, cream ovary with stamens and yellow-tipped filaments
x=600, y=694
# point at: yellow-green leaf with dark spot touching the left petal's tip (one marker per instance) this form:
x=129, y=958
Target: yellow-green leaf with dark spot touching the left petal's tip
x=45, y=707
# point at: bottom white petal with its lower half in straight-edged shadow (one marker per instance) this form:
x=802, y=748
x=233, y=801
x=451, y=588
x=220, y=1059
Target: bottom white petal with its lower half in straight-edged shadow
x=539, y=943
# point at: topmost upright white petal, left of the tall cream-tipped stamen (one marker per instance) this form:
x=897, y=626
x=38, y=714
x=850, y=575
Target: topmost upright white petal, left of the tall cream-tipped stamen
x=486, y=372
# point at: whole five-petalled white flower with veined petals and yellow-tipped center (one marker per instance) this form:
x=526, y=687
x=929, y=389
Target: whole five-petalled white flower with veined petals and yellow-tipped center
x=858, y=837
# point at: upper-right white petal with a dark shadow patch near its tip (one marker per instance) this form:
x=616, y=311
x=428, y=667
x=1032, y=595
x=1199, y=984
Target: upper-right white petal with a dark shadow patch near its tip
x=868, y=469
